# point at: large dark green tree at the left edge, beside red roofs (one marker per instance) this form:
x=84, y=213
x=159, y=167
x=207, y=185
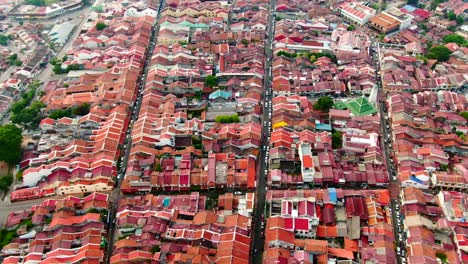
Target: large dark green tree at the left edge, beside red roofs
x=10, y=142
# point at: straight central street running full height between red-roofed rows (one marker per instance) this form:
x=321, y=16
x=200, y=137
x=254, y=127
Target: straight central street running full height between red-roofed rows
x=258, y=216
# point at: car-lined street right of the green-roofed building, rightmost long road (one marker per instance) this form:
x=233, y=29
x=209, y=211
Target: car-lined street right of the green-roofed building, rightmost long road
x=394, y=187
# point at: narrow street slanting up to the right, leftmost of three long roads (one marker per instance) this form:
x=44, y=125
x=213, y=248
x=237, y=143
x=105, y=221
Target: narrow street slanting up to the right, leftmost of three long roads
x=115, y=196
